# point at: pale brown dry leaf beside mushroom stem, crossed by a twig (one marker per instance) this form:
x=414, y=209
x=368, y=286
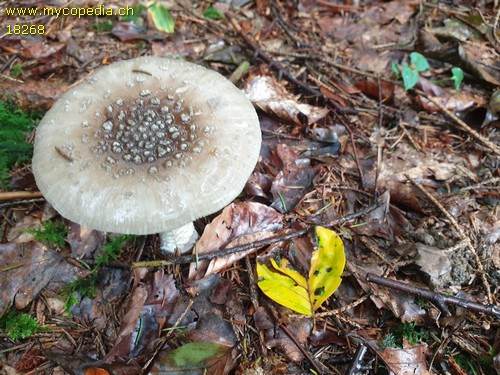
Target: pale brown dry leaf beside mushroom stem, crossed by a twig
x=239, y=223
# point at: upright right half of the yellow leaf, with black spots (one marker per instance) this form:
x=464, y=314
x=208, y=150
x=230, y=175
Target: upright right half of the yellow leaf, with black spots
x=327, y=265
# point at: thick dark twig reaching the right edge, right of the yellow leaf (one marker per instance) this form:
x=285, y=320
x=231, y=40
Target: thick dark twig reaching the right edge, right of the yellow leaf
x=440, y=300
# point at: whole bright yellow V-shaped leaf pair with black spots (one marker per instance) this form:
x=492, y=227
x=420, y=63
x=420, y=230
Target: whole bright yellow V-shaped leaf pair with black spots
x=289, y=288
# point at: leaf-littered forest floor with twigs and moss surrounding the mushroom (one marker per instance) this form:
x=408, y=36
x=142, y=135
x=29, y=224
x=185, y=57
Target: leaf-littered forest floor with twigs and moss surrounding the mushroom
x=379, y=122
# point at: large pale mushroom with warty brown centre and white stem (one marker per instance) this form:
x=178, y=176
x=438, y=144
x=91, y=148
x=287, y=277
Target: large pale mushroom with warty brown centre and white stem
x=146, y=146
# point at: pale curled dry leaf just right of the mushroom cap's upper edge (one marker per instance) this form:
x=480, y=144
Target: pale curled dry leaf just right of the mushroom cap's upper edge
x=272, y=97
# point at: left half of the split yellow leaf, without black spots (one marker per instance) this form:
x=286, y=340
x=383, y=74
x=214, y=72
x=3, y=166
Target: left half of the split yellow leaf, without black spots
x=283, y=289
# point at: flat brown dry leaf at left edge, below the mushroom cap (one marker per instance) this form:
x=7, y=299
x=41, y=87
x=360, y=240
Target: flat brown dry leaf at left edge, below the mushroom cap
x=26, y=269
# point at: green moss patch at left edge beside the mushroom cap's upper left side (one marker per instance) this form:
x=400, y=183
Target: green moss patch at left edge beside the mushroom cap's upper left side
x=15, y=127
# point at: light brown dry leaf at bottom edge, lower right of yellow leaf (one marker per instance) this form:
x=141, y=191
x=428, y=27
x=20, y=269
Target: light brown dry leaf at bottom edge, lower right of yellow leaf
x=406, y=361
